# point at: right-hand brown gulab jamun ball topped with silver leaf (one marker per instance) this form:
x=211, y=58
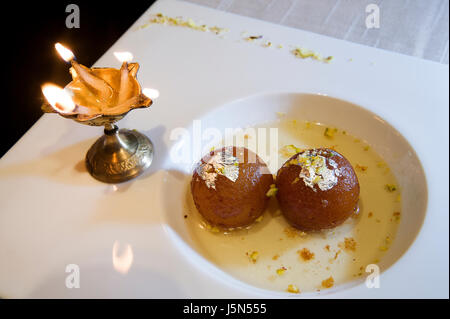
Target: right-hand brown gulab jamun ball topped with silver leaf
x=317, y=189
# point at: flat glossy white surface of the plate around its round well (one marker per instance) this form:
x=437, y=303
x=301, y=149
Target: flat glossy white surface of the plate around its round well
x=52, y=213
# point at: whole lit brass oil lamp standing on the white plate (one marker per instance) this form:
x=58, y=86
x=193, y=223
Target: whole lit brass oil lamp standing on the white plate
x=101, y=97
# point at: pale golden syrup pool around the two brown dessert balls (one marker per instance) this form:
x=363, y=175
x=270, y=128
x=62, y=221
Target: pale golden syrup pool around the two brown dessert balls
x=268, y=253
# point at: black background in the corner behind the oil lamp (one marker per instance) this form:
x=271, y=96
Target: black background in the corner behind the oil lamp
x=29, y=32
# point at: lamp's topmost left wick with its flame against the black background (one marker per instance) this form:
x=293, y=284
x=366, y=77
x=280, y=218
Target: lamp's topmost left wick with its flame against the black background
x=96, y=85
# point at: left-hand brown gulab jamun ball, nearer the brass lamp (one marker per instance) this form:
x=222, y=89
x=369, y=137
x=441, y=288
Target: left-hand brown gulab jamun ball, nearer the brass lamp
x=229, y=187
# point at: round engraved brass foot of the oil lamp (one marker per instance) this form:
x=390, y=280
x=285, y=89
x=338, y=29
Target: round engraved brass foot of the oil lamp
x=119, y=155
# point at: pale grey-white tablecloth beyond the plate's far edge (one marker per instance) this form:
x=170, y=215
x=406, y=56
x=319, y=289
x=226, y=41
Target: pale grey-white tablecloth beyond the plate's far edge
x=413, y=27
